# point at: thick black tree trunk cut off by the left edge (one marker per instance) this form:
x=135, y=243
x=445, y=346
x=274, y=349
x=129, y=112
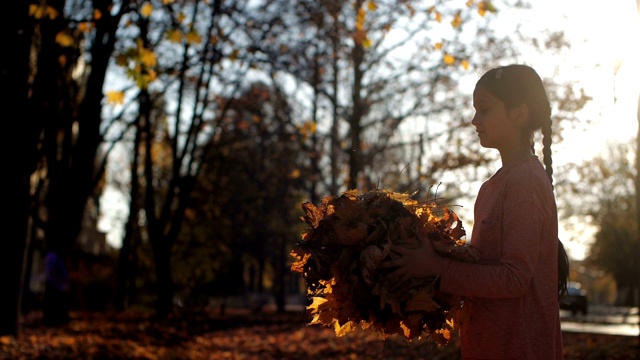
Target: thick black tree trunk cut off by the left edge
x=19, y=160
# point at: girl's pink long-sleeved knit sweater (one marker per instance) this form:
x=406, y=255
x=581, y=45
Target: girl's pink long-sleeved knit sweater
x=513, y=298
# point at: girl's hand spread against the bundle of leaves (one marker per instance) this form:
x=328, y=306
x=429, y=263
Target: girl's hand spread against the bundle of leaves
x=415, y=263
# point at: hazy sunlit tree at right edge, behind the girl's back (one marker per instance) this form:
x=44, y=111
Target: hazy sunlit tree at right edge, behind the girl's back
x=607, y=198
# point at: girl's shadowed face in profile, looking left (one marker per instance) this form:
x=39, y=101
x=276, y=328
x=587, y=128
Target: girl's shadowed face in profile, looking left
x=494, y=127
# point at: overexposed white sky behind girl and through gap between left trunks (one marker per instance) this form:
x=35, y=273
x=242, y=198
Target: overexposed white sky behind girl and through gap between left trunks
x=604, y=36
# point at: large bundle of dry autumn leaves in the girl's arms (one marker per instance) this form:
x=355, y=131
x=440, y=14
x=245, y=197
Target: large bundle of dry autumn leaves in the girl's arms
x=341, y=254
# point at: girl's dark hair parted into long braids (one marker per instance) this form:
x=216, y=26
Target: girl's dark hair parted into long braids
x=516, y=84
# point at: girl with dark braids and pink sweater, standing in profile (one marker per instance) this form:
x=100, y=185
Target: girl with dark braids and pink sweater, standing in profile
x=512, y=293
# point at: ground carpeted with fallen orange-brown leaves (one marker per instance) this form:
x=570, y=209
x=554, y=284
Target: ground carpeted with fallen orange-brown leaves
x=243, y=335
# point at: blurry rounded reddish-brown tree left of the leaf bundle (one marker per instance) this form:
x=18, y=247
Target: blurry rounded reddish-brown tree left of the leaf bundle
x=244, y=210
